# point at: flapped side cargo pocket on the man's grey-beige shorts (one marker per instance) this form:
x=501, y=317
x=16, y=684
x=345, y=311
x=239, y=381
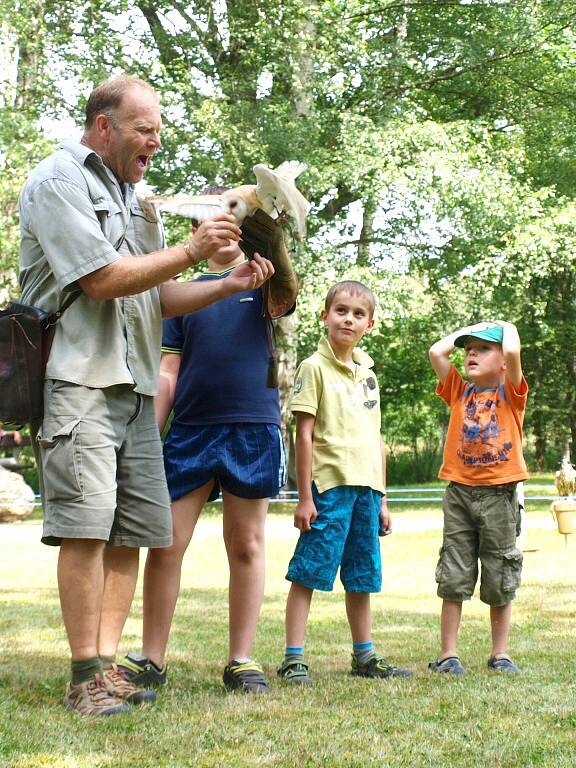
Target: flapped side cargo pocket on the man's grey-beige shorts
x=61, y=459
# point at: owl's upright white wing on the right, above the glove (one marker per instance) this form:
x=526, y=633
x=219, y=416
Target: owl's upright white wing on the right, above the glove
x=279, y=194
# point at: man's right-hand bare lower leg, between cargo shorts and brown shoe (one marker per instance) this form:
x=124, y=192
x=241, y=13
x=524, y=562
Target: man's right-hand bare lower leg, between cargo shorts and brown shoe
x=120, y=577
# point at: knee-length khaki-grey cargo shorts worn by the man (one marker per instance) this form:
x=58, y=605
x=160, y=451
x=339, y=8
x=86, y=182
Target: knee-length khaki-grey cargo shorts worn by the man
x=101, y=469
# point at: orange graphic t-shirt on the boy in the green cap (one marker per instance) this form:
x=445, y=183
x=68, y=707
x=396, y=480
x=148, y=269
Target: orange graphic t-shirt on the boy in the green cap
x=484, y=440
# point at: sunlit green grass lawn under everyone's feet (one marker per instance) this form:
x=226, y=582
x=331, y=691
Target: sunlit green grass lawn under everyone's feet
x=528, y=720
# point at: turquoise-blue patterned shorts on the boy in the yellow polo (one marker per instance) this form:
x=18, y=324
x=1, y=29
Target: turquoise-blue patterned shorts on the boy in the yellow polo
x=344, y=534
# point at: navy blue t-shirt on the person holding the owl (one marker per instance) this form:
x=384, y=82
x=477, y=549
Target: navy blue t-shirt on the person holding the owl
x=224, y=362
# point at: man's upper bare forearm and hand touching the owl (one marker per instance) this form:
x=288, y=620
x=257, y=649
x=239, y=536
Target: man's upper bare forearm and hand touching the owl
x=127, y=276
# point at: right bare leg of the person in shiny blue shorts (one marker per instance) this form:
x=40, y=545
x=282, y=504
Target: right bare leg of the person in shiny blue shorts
x=244, y=524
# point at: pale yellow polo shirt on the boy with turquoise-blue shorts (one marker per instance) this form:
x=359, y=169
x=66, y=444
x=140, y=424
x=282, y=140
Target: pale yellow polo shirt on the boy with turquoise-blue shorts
x=346, y=404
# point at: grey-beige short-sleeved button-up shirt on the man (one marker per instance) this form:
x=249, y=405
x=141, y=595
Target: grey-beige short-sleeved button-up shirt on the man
x=74, y=219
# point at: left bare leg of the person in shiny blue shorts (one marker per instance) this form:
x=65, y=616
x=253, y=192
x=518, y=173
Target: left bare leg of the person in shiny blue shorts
x=162, y=575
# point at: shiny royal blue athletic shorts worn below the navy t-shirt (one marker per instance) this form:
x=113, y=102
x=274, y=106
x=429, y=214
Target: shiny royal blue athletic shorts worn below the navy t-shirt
x=247, y=460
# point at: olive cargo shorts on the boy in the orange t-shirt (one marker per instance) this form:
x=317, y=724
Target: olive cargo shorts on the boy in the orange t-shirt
x=480, y=523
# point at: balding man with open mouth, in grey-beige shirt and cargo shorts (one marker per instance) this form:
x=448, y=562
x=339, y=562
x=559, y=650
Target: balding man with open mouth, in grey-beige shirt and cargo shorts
x=98, y=449
